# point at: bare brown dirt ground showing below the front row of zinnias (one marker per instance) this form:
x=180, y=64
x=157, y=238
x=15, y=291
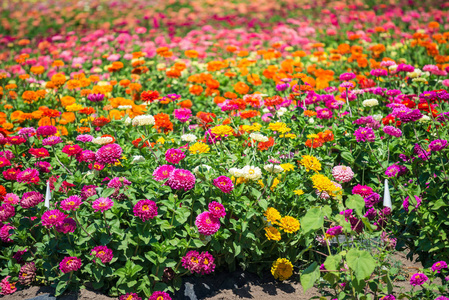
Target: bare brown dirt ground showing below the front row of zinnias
x=236, y=285
